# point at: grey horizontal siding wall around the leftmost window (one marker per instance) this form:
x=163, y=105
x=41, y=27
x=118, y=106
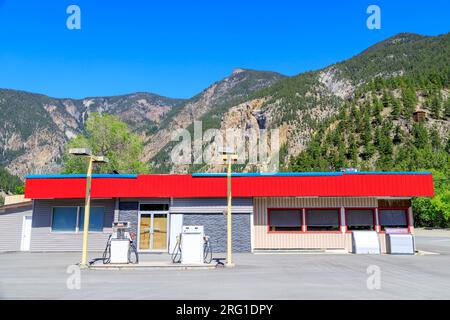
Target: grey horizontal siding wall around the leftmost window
x=42, y=239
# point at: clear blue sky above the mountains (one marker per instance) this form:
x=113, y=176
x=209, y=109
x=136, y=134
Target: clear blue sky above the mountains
x=178, y=48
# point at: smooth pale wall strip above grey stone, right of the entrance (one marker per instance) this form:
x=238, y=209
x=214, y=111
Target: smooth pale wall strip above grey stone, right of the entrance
x=210, y=205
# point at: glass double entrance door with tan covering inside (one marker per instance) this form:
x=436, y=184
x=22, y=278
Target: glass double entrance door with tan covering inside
x=152, y=231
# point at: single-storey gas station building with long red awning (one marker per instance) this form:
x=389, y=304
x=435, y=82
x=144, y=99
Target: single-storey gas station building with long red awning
x=281, y=211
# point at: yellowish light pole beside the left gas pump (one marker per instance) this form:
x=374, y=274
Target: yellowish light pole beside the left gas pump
x=87, y=204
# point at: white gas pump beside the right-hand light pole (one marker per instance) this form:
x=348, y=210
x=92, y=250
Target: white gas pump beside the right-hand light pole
x=192, y=245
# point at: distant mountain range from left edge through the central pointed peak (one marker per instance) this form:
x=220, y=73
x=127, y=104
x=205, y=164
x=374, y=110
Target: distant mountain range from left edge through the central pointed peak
x=36, y=127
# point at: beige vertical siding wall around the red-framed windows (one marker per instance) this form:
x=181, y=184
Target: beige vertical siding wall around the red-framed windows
x=265, y=240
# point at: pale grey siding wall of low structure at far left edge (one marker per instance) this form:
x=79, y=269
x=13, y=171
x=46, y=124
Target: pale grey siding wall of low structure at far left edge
x=11, y=228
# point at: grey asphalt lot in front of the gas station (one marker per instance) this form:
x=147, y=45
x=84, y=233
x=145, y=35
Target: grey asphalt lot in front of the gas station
x=275, y=276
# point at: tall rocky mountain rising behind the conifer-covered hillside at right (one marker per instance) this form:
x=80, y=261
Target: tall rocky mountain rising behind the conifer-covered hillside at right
x=299, y=105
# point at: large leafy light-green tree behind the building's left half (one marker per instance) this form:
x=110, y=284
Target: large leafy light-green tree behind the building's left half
x=107, y=136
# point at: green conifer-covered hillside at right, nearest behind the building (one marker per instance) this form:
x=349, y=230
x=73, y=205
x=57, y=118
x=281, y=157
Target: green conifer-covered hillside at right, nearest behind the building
x=382, y=128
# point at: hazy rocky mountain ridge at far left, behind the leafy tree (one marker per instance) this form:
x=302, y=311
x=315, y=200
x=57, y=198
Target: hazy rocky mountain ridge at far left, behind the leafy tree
x=36, y=127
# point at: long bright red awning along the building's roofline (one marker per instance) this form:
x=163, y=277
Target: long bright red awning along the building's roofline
x=188, y=186
